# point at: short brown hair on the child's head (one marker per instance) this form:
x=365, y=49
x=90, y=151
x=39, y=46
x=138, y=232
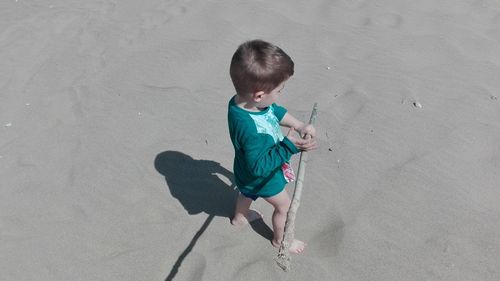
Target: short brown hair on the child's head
x=259, y=66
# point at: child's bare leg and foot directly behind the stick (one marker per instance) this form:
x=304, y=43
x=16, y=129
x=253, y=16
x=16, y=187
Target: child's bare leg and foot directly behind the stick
x=281, y=203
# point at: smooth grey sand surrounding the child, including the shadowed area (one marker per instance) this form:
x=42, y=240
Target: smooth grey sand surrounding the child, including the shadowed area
x=115, y=159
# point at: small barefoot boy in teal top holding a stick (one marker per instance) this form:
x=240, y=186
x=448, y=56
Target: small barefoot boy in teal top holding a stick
x=259, y=71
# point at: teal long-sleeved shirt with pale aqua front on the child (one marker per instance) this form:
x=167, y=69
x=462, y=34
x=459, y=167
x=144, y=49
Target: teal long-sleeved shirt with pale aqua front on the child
x=260, y=149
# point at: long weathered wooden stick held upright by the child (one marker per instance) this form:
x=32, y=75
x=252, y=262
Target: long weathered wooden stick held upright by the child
x=283, y=258
